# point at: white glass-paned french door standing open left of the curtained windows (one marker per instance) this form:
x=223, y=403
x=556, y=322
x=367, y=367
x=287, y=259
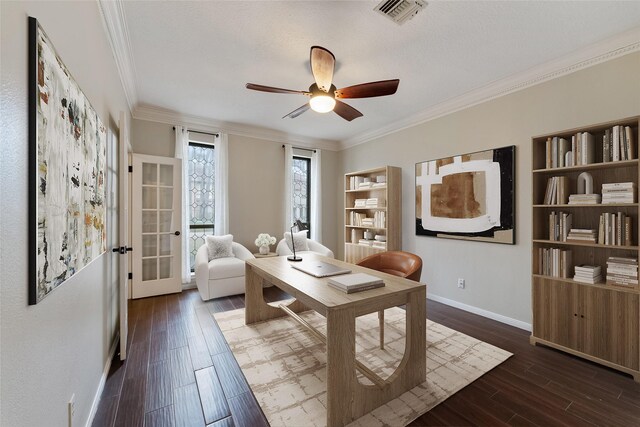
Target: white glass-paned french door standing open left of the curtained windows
x=156, y=219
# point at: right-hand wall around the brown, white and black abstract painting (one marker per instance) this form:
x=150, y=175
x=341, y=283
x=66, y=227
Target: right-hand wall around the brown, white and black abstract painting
x=498, y=277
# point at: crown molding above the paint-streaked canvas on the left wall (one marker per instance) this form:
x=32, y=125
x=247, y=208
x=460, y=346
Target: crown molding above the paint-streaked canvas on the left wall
x=115, y=25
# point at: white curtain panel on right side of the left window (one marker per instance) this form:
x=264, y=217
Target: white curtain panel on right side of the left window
x=221, y=221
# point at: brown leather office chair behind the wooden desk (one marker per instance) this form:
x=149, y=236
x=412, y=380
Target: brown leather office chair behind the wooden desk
x=398, y=263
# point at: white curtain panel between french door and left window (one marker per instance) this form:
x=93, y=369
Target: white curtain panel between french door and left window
x=182, y=152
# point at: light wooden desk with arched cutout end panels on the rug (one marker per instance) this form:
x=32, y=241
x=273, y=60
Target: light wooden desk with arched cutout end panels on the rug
x=347, y=398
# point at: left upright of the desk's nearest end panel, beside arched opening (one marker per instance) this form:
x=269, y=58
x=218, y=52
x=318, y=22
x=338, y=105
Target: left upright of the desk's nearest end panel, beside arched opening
x=341, y=370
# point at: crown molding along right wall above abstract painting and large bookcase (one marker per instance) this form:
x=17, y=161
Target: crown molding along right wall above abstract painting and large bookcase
x=606, y=50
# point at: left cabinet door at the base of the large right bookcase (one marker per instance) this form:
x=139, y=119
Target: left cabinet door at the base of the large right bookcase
x=554, y=317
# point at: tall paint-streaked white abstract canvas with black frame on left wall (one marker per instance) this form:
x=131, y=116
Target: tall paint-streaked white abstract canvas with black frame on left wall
x=67, y=161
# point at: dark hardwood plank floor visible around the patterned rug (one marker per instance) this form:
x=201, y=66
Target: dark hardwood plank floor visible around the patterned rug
x=180, y=372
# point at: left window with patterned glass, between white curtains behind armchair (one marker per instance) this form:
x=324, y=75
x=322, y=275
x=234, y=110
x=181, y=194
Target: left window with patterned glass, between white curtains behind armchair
x=201, y=195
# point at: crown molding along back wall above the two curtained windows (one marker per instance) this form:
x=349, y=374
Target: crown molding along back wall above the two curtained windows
x=161, y=115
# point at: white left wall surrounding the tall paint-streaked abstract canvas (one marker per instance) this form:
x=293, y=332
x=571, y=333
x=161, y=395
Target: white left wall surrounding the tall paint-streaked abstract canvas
x=61, y=345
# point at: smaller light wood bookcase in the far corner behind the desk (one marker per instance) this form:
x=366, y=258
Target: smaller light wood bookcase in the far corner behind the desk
x=391, y=193
